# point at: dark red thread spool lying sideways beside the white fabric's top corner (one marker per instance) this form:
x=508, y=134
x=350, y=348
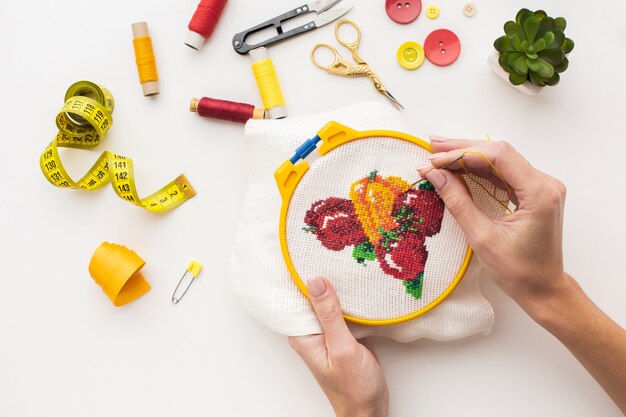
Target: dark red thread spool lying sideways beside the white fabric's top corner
x=225, y=110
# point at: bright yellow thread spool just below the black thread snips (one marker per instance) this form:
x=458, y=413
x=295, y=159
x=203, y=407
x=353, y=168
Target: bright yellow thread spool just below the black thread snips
x=267, y=81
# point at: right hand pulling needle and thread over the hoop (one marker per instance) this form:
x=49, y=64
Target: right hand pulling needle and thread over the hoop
x=521, y=252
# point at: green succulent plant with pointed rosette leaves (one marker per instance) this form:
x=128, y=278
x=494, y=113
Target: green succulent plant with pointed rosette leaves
x=534, y=48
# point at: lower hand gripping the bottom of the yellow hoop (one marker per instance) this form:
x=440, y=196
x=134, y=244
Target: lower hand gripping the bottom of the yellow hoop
x=347, y=371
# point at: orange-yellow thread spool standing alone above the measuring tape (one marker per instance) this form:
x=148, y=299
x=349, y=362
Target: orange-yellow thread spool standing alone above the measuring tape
x=144, y=57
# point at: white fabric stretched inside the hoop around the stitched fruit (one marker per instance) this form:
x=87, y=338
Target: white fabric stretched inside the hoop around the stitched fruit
x=365, y=290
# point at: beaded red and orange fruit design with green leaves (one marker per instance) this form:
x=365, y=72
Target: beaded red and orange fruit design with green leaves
x=385, y=220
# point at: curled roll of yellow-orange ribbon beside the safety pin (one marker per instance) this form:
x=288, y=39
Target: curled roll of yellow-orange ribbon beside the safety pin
x=116, y=269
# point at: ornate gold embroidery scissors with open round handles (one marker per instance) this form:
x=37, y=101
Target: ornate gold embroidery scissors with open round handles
x=344, y=68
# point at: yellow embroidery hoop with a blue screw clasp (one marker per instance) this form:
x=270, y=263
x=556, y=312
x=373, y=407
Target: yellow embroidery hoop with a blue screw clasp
x=291, y=172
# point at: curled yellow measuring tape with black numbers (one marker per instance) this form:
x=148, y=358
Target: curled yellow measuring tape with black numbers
x=83, y=121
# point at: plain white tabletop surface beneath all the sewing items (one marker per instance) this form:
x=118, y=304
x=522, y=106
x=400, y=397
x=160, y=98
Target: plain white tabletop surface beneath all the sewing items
x=66, y=351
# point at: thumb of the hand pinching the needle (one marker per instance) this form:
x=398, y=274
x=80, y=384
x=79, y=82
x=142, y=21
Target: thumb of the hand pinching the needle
x=476, y=226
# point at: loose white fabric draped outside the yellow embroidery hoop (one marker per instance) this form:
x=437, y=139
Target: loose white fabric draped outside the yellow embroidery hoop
x=259, y=277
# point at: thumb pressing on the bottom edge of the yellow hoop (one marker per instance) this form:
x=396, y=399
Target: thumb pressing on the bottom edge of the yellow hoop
x=328, y=311
